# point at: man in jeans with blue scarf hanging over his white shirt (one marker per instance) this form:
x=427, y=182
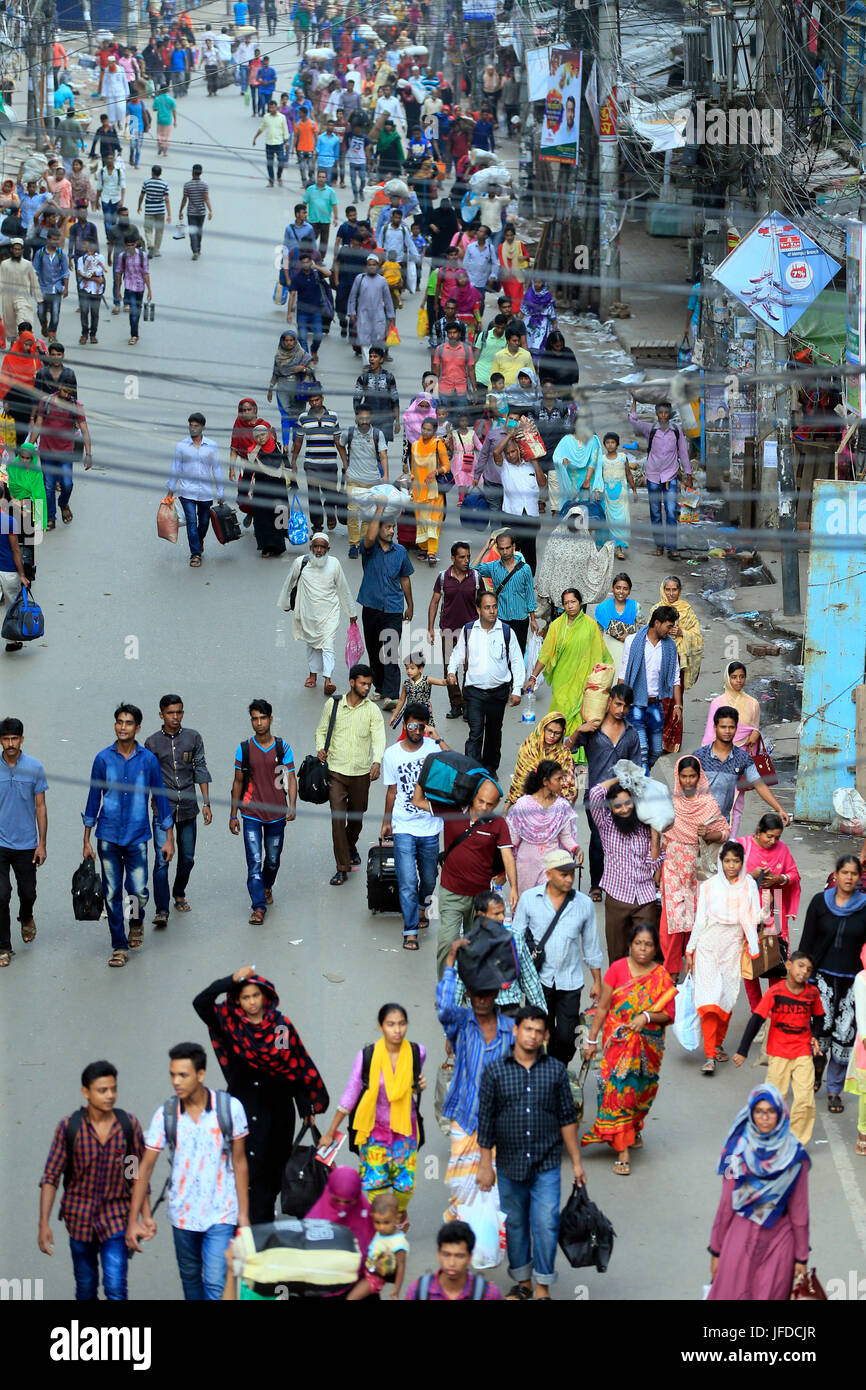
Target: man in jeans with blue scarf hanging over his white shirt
x=651, y=667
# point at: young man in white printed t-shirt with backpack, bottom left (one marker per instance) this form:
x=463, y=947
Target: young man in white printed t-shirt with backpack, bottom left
x=208, y=1185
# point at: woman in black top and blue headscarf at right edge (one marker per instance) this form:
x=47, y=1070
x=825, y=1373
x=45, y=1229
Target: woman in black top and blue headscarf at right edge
x=835, y=935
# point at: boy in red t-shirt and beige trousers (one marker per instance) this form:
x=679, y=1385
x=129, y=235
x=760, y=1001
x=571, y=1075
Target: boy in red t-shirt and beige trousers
x=790, y=1006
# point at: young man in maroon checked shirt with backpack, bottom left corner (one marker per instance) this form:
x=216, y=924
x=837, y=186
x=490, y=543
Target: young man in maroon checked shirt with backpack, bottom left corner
x=95, y=1152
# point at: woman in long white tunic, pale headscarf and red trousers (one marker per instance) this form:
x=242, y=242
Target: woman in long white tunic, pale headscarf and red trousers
x=729, y=911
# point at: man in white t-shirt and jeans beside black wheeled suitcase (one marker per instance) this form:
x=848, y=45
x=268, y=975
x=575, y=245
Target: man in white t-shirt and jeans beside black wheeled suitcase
x=415, y=832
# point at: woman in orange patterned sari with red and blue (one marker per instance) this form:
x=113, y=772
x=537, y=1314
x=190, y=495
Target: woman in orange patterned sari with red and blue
x=637, y=1006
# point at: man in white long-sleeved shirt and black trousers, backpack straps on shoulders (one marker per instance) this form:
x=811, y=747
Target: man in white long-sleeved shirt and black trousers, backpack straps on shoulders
x=494, y=676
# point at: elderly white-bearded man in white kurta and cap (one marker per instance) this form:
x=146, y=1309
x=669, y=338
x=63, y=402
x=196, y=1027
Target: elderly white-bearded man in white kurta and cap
x=320, y=597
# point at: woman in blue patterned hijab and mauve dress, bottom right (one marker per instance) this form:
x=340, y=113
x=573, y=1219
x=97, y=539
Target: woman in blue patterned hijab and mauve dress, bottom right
x=760, y=1243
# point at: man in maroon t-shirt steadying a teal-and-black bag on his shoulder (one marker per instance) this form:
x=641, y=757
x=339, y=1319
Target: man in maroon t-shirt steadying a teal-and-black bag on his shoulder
x=472, y=840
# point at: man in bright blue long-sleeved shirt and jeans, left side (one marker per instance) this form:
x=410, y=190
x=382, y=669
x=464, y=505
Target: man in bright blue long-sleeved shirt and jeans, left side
x=123, y=780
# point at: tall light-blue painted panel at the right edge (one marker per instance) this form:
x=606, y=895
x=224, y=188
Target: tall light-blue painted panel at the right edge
x=835, y=646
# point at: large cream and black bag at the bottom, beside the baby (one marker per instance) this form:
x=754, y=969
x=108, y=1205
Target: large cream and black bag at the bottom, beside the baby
x=297, y=1257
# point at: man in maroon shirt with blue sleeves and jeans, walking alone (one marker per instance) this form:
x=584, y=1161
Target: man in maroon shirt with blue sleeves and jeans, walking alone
x=266, y=793
